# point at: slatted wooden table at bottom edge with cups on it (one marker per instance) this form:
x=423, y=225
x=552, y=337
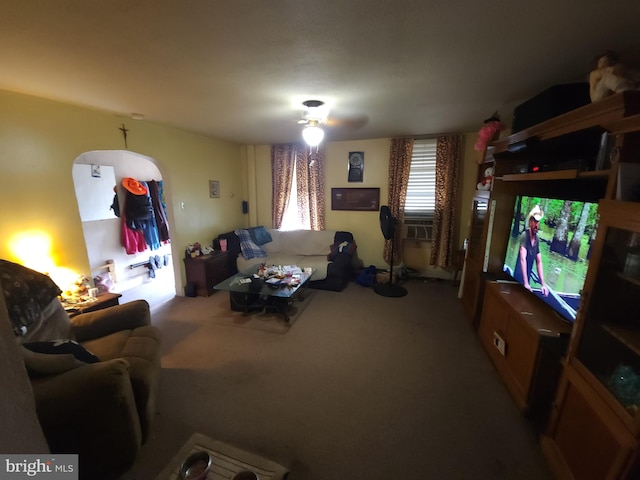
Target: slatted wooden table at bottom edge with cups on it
x=226, y=461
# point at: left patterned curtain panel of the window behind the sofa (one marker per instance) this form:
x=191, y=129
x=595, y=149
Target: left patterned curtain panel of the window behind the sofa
x=283, y=159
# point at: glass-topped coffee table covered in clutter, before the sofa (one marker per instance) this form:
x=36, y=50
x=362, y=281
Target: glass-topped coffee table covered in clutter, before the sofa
x=249, y=294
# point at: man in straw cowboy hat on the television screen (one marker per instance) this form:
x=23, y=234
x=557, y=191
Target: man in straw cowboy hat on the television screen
x=529, y=252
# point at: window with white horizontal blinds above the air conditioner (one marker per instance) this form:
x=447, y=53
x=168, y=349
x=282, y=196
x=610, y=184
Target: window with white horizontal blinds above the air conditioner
x=421, y=190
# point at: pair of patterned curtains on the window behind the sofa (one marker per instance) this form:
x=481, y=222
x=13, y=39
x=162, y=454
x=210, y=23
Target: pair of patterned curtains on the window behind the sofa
x=309, y=168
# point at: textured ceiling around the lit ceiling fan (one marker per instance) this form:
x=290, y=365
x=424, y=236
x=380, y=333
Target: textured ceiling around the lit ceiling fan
x=240, y=69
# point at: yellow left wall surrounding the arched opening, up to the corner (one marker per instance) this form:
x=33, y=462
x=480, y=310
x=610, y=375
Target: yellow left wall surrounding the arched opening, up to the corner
x=40, y=139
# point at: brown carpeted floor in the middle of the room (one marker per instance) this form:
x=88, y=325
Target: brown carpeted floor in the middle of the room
x=361, y=387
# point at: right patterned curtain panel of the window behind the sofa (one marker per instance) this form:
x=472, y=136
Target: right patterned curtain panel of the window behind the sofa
x=310, y=182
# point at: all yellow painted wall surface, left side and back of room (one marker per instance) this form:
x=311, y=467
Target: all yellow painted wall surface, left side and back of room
x=39, y=140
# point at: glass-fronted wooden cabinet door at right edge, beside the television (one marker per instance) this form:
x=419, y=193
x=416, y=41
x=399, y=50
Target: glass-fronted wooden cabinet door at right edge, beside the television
x=608, y=346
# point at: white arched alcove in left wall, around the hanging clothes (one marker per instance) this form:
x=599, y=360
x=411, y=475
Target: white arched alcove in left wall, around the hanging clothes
x=97, y=175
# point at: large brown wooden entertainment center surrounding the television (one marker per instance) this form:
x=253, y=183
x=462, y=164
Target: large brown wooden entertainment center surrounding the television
x=580, y=382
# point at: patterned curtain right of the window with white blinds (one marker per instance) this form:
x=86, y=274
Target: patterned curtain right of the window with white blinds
x=444, y=221
